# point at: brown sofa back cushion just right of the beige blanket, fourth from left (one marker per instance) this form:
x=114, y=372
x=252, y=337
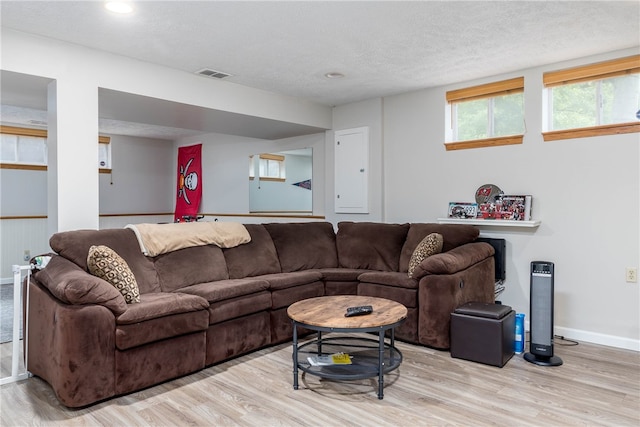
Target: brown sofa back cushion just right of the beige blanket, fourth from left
x=303, y=246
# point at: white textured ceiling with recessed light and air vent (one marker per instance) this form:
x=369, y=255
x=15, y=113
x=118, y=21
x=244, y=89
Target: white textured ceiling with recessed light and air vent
x=382, y=47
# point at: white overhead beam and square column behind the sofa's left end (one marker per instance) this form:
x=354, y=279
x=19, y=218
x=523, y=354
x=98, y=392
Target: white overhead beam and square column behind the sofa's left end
x=79, y=72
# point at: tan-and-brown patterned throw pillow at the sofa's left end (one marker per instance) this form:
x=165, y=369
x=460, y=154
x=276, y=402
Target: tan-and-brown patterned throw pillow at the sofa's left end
x=106, y=264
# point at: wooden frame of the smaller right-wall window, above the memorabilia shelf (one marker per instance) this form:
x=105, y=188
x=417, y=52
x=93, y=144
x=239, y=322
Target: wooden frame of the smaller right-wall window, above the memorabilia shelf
x=484, y=91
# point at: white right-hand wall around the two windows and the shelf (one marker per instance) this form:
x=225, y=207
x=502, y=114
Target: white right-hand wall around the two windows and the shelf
x=585, y=192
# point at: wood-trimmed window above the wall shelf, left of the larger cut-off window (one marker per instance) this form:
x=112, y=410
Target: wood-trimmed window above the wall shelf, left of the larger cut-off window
x=487, y=115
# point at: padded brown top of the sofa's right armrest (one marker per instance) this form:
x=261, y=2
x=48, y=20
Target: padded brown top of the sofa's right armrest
x=455, y=260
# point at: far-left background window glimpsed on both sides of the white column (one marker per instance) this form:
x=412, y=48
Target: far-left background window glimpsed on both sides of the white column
x=24, y=148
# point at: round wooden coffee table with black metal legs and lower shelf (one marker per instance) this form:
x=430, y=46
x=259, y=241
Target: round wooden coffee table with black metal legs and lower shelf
x=356, y=357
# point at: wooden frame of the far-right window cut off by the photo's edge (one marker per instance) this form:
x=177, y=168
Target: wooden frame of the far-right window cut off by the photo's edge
x=588, y=73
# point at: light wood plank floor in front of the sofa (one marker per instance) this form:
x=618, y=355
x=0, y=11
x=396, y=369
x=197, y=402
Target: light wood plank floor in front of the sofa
x=597, y=385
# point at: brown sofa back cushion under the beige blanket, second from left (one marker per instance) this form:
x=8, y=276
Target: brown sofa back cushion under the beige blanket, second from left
x=190, y=266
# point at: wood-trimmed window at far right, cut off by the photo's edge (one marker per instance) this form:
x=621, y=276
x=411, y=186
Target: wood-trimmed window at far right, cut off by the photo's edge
x=596, y=99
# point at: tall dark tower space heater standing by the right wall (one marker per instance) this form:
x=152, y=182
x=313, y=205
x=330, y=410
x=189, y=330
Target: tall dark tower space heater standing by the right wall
x=541, y=315
